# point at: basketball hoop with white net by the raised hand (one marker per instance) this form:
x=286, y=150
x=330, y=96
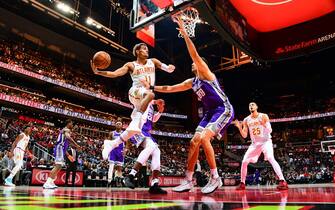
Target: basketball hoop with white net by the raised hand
x=190, y=18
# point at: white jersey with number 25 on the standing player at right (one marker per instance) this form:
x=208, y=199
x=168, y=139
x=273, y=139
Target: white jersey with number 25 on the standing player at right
x=258, y=133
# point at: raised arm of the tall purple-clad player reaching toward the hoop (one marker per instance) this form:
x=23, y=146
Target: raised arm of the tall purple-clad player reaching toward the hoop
x=203, y=70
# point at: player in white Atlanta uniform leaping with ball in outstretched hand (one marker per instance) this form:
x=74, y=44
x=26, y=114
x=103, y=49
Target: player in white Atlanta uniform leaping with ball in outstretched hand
x=141, y=69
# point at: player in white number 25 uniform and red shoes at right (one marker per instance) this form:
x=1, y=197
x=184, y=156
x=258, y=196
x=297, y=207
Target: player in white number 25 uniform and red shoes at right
x=259, y=127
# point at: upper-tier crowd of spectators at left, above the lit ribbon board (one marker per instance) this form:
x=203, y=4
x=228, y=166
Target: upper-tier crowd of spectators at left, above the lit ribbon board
x=34, y=58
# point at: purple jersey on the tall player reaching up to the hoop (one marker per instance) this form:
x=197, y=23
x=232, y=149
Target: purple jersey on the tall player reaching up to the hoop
x=209, y=93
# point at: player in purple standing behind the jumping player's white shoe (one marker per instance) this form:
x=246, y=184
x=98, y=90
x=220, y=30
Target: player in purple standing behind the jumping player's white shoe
x=116, y=157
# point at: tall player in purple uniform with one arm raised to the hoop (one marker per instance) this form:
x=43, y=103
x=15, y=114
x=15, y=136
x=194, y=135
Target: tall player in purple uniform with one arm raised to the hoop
x=218, y=115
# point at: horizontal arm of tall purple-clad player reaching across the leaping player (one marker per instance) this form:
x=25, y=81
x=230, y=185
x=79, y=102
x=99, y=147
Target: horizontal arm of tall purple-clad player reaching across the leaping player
x=186, y=85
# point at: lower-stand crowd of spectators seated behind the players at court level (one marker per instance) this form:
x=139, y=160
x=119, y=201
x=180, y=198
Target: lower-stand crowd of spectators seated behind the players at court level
x=300, y=163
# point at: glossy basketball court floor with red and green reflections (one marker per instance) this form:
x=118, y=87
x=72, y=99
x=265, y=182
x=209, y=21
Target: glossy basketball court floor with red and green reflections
x=316, y=196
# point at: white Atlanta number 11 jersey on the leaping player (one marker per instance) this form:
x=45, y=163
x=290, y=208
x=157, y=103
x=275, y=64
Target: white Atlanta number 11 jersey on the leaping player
x=143, y=72
